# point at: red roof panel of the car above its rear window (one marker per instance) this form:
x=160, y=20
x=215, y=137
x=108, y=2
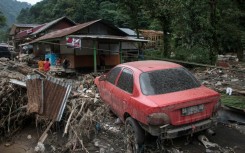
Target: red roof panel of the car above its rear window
x=150, y=65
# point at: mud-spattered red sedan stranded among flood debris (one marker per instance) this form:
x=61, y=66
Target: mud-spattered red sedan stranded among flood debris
x=159, y=97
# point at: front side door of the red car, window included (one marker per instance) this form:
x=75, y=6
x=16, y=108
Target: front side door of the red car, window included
x=107, y=86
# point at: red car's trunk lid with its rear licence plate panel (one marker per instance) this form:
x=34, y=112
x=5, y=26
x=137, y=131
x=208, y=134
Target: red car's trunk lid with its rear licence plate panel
x=187, y=106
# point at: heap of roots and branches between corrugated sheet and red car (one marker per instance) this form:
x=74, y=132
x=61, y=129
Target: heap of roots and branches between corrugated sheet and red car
x=84, y=113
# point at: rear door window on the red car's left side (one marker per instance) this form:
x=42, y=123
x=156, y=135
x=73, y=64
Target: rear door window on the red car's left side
x=126, y=81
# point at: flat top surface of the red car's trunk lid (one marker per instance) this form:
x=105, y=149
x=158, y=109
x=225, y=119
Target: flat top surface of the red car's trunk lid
x=192, y=96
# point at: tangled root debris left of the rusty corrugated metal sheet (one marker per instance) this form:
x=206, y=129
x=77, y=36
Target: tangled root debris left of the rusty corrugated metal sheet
x=13, y=98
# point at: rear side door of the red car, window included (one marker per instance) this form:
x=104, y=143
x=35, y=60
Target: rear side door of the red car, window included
x=122, y=93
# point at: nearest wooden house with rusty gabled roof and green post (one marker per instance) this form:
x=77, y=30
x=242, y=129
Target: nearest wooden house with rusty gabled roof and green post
x=93, y=44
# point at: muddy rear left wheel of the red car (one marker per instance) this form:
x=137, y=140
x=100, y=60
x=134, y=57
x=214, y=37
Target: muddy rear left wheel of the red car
x=134, y=136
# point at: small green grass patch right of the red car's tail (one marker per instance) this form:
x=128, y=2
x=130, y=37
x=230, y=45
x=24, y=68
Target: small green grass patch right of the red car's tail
x=234, y=101
